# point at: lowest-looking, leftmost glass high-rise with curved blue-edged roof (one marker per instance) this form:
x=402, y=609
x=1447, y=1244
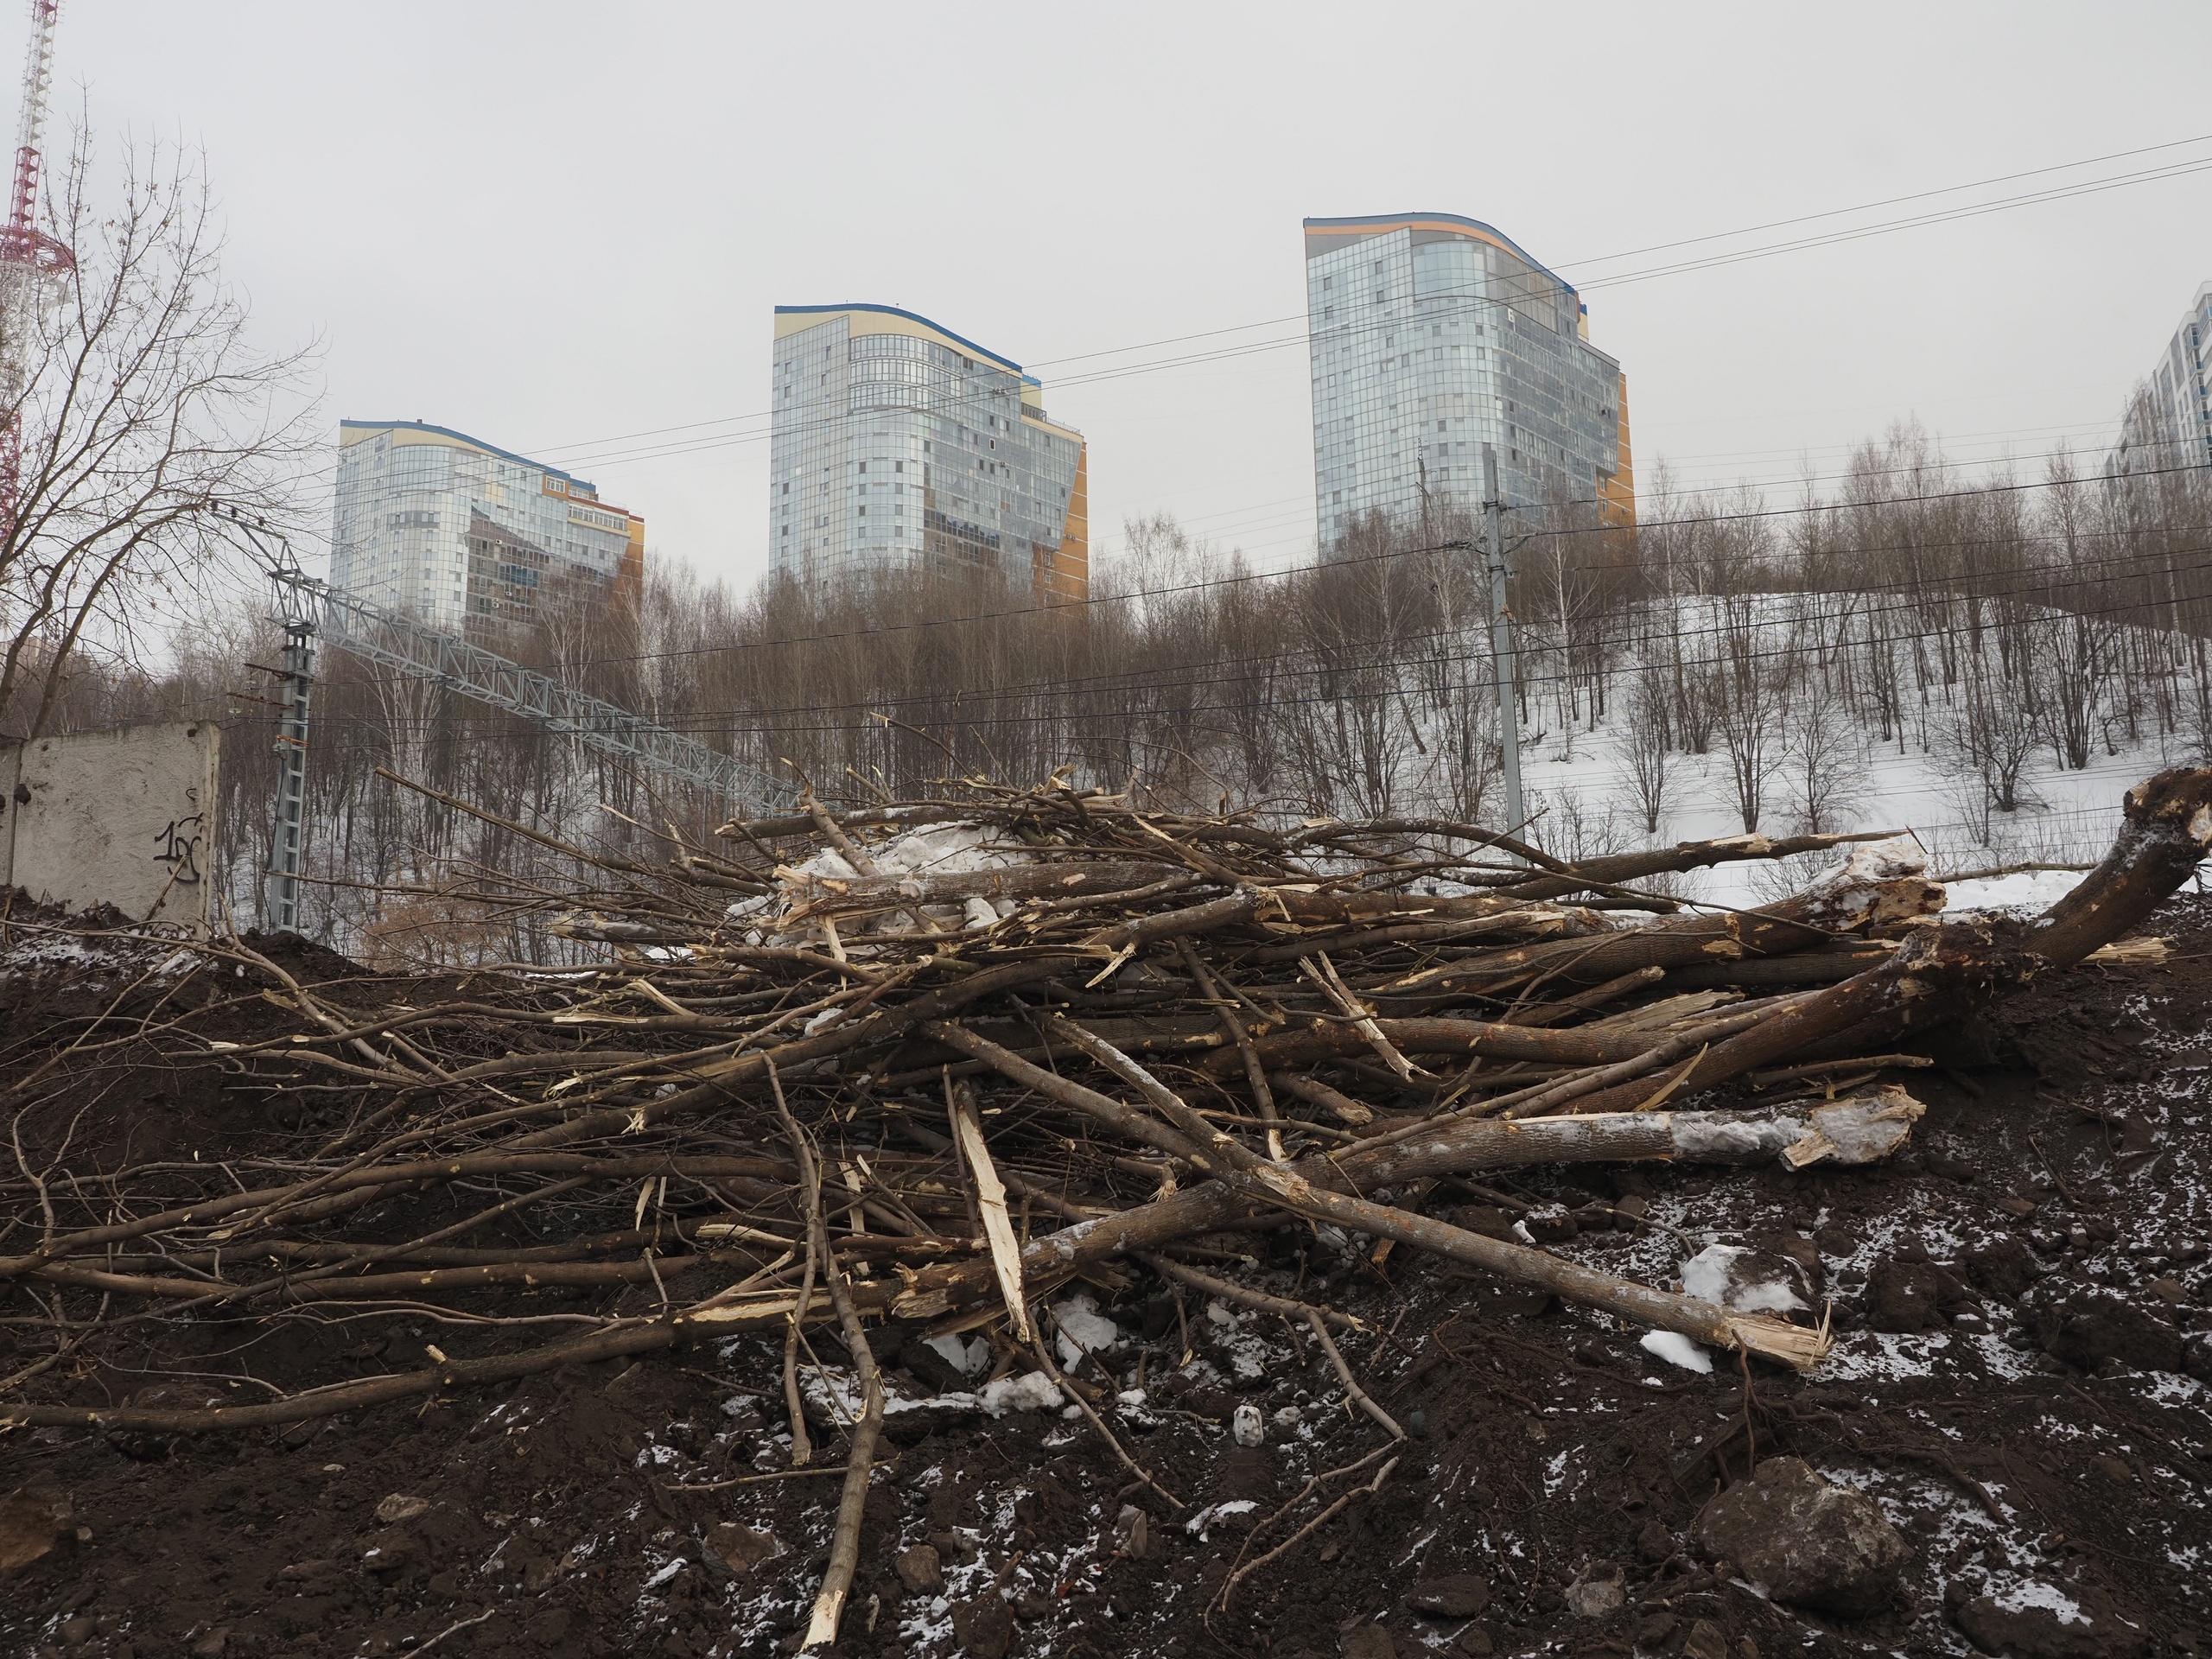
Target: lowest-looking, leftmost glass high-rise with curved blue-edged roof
x=470, y=536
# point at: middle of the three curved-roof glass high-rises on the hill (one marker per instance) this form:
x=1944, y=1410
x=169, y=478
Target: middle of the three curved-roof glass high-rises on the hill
x=904, y=446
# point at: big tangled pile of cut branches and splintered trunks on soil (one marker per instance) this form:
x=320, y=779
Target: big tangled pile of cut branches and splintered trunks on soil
x=926, y=1063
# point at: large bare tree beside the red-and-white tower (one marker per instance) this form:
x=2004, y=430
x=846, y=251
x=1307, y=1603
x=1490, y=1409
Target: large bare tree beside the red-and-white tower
x=143, y=399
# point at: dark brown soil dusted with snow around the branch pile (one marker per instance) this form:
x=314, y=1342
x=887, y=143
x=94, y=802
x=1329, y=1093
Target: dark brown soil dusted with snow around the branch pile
x=2021, y=1306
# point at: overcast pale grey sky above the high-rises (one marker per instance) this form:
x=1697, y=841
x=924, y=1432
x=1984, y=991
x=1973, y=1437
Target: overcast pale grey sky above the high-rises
x=554, y=225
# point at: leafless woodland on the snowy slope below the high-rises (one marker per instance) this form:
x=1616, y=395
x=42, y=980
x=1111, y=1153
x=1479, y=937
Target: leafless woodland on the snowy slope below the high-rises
x=2010, y=629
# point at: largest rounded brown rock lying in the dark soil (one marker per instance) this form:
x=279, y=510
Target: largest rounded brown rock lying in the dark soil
x=1811, y=1543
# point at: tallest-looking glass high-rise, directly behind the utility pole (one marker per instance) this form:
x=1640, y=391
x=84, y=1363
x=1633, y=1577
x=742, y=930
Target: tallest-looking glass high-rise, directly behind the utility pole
x=1432, y=337
